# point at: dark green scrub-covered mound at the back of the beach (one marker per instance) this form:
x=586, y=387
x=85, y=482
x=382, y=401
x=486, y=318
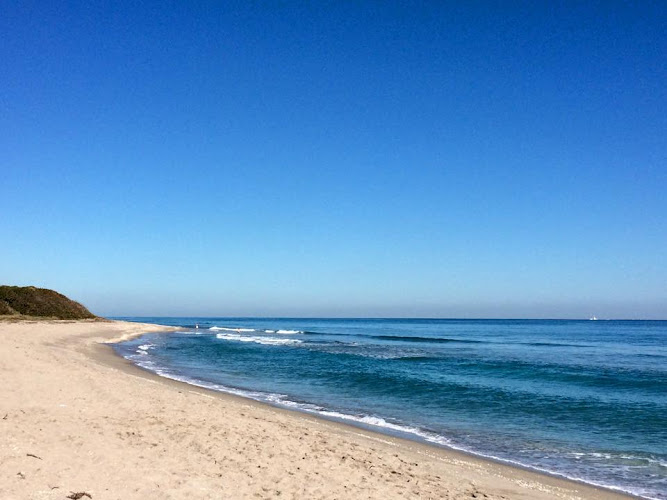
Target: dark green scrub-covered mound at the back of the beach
x=30, y=302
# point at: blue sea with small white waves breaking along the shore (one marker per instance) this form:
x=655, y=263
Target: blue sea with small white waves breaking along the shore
x=583, y=399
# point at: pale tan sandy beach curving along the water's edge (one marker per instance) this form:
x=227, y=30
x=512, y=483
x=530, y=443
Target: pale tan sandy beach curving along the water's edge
x=76, y=418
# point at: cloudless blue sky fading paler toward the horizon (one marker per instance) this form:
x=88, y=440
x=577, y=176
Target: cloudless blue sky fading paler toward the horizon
x=431, y=159
